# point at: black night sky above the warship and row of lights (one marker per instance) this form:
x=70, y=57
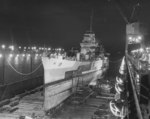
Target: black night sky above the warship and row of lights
x=63, y=23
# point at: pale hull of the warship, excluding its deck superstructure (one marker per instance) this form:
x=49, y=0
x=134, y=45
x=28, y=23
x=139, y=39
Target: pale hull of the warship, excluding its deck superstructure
x=61, y=82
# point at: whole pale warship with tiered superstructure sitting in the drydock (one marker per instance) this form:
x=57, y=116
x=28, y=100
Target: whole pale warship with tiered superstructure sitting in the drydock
x=62, y=74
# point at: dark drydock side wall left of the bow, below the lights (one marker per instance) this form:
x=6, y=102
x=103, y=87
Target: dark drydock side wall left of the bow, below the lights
x=19, y=74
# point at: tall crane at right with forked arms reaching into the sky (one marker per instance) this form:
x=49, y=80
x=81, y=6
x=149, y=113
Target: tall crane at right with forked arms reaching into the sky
x=129, y=21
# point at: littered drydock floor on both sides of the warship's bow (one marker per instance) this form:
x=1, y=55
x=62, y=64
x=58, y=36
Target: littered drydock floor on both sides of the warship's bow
x=84, y=104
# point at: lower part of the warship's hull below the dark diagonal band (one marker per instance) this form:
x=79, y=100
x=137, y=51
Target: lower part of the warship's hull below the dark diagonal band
x=57, y=92
